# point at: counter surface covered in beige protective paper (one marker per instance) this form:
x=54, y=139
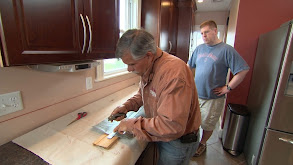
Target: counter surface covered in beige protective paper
x=57, y=143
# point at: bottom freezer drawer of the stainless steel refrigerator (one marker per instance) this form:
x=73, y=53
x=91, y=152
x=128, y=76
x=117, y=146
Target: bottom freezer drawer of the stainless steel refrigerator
x=277, y=149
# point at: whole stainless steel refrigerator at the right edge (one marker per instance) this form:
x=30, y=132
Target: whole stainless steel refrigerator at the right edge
x=269, y=139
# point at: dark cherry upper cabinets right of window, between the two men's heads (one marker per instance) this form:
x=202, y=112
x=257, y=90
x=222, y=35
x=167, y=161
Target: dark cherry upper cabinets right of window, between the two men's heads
x=170, y=21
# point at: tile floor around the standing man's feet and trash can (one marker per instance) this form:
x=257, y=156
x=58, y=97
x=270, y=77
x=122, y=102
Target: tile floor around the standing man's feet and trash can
x=216, y=155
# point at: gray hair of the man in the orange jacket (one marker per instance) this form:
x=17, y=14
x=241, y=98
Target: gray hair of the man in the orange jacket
x=137, y=42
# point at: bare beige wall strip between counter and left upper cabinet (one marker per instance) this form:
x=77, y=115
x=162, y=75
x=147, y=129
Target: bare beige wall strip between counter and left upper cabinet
x=47, y=96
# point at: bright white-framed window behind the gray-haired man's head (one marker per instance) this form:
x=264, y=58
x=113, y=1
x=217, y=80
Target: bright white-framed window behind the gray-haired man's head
x=129, y=19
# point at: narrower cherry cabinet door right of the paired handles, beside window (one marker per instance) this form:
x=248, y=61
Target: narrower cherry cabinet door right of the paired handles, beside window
x=103, y=27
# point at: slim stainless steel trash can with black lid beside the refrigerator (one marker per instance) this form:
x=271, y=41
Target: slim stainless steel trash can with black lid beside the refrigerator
x=235, y=128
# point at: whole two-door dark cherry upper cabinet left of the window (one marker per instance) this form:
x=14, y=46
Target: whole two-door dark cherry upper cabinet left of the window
x=51, y=31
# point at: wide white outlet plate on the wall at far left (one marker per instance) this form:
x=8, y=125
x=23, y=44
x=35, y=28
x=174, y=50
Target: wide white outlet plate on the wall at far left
x=10, y=102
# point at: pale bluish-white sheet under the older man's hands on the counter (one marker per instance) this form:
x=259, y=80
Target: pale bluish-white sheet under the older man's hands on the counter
x=107, y=127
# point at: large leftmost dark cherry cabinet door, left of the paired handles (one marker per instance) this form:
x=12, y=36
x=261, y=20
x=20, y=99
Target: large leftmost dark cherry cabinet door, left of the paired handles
x=40, y=31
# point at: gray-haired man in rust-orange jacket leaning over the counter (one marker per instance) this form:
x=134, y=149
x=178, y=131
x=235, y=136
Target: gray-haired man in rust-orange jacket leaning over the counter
x=167, y=92
